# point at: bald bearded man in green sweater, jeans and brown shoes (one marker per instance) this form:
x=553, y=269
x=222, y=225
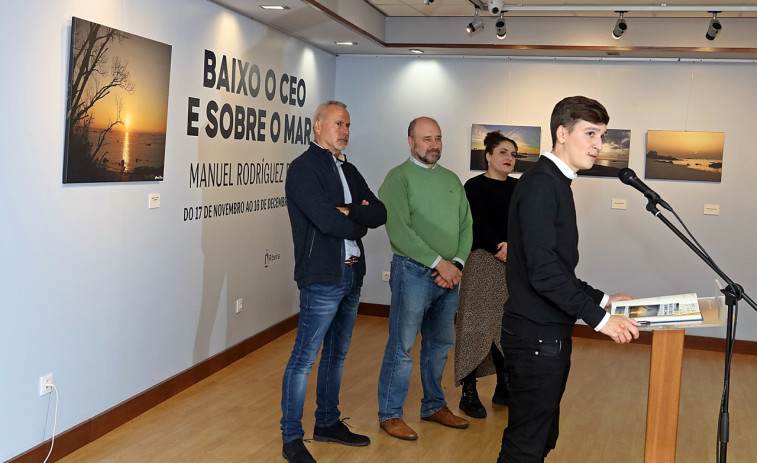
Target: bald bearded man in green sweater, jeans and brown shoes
x=430, y=229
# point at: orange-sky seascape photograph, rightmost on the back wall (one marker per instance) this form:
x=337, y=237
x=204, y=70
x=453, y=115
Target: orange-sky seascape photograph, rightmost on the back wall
x=692, y=156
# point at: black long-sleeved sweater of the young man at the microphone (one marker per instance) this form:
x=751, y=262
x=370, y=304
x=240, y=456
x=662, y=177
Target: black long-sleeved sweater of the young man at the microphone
x=546, y=297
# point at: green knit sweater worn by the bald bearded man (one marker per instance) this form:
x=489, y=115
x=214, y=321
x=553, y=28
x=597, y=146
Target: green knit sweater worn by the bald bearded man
x=427, y=213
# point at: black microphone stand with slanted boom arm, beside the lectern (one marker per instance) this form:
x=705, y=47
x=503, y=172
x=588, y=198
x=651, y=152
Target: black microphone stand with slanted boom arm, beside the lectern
x=733, y=293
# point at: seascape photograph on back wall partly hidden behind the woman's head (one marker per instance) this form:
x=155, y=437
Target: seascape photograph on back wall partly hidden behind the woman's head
x=527, y=137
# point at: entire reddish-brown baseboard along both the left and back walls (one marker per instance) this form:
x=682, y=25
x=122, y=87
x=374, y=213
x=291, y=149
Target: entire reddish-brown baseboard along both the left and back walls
x=82, y=434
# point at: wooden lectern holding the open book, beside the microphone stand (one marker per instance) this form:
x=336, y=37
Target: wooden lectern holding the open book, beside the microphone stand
x=665, y=380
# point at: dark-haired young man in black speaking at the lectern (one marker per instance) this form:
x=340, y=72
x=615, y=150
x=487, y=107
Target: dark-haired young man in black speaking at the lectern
x=546, y=297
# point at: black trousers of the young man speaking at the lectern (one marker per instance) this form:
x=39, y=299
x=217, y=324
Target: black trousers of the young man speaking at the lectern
x=538, y=371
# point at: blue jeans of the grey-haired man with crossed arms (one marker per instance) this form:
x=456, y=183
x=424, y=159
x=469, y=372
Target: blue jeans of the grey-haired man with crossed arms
x=327, y=316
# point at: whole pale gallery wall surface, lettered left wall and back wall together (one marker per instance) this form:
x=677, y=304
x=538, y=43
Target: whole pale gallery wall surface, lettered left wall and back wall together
x=113, y=298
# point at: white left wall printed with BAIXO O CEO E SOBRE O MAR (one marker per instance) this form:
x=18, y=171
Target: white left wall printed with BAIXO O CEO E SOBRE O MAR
x=108, y=295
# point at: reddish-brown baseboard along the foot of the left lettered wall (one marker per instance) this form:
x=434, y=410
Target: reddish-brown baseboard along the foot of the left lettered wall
x=82, y=434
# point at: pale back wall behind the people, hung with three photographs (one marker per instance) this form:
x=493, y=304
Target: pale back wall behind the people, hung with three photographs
x=621, y=250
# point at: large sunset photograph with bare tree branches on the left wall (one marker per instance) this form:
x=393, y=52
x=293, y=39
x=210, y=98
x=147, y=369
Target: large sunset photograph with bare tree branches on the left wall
x=117, y=109
